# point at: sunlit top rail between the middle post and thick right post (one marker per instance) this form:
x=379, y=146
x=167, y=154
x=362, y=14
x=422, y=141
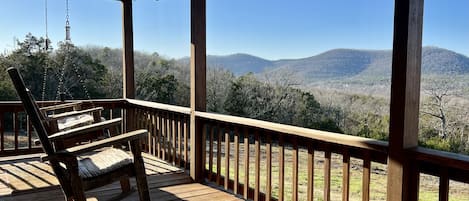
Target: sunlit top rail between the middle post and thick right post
x=335, y=138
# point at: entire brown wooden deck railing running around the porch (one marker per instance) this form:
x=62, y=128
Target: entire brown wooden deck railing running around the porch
x=255, y=159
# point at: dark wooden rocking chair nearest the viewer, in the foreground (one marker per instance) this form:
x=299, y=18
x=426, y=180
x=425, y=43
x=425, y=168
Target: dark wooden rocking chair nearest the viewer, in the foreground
x=90, y=165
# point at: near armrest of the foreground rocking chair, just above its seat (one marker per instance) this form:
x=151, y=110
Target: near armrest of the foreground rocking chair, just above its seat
x=130, y=136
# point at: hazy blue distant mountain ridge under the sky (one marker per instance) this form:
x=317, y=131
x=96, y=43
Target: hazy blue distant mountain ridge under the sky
x=343, y=63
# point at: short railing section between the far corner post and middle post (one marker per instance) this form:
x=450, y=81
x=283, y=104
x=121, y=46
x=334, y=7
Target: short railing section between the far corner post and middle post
x=168, y=130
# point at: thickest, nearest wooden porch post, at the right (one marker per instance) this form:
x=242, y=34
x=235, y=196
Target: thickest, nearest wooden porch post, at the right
x=403, y=177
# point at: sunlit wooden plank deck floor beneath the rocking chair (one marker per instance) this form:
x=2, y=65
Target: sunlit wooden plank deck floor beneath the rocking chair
x=26, y=178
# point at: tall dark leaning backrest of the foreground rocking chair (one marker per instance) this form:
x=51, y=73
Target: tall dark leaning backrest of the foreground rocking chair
x=31, y=109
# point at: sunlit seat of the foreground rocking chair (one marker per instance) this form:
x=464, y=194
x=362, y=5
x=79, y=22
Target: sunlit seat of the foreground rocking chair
x=97, y=163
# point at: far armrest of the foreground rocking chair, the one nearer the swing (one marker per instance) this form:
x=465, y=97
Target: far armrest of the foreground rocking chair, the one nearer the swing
x=85, y=129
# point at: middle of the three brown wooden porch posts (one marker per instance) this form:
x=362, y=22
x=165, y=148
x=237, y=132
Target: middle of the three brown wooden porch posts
x=198, y=85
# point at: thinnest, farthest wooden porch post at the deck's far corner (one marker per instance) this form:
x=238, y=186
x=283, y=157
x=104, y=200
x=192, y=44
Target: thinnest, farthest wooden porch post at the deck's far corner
x=128, y=50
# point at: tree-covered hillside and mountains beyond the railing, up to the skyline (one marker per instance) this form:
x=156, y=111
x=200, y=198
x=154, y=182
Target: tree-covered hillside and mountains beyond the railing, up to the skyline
x=277, y=95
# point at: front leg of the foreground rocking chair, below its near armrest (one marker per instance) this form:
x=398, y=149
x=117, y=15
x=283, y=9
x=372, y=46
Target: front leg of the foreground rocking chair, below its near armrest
x=140, y=174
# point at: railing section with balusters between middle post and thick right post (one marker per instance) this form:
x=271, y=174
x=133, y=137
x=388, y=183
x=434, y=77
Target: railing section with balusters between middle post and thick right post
x=277, y=146
